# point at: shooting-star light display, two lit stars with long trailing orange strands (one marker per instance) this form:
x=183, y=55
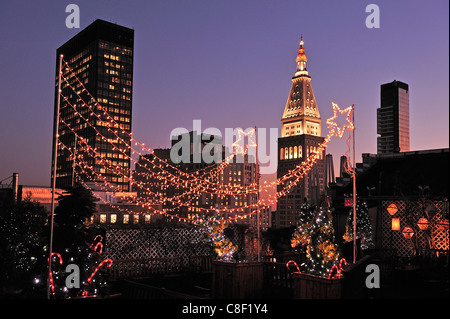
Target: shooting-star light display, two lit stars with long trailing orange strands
x=191, y=183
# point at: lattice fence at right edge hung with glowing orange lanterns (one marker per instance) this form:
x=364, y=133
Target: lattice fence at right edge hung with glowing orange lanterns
x=409, y=213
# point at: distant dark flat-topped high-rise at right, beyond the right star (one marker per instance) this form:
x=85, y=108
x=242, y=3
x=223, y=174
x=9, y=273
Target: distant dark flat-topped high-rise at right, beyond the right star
x=393, y=118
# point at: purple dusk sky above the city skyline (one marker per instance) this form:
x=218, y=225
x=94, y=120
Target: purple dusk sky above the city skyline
x=229, y=63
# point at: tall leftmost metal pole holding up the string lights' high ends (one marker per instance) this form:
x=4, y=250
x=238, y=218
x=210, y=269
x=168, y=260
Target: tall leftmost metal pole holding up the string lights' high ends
x=55, y=156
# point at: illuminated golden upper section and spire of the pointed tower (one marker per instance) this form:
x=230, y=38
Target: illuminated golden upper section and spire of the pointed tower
x=301, y=114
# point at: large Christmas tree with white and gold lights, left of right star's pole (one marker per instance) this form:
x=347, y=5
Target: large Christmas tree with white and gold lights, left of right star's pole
x=315, y=235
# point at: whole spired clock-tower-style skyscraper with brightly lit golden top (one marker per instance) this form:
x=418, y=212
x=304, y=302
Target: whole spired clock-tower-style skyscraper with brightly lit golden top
x=300, y=137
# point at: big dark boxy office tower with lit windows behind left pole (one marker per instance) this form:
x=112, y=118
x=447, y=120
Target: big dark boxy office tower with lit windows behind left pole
x=101, y=57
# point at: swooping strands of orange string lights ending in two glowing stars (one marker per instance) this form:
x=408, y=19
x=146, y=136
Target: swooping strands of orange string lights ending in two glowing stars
x=195, y=185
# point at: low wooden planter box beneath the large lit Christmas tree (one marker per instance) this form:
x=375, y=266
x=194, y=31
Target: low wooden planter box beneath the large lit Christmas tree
x=308, y=286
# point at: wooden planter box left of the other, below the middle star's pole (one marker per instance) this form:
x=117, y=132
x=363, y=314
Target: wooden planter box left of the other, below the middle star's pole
x=237, y=280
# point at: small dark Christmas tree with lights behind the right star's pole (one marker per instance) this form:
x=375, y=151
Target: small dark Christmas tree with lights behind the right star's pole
x=363, y=226
